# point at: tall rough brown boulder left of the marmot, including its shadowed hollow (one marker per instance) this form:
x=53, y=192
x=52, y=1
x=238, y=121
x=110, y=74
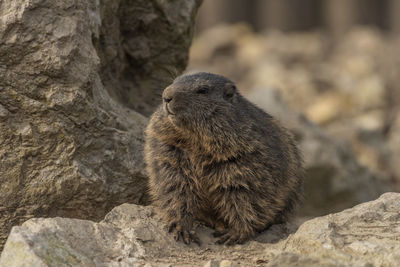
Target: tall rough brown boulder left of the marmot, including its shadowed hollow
x=66, y=147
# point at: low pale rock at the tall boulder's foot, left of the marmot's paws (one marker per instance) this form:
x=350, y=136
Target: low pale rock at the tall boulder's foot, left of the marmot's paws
x=129, y=235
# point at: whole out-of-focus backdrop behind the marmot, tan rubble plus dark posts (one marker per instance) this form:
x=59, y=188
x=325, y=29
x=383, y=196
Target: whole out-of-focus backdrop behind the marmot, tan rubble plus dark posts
x=335, y=63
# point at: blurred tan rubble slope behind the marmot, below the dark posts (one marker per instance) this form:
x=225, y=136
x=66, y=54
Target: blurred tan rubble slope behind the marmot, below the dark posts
x=347, y=89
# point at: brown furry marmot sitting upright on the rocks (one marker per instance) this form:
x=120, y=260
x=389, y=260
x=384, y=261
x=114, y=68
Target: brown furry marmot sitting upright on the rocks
x=213, y=156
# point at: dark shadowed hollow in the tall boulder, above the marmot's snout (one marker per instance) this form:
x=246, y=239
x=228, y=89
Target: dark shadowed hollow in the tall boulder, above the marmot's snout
x=143, y=46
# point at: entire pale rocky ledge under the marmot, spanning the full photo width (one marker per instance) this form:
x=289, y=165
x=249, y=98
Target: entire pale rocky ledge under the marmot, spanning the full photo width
x=131, y=235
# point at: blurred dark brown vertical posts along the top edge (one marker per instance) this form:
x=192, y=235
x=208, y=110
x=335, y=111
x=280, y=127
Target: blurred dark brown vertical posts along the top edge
x=336, y=16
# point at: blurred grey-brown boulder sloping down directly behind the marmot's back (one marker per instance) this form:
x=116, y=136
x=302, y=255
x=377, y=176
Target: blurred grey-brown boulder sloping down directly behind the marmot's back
x=334, y=178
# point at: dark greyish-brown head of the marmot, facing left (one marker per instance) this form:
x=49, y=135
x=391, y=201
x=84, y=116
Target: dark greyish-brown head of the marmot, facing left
x=198, y=98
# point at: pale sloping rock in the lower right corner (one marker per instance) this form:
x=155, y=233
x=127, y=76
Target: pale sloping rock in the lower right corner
x=366, y=235
